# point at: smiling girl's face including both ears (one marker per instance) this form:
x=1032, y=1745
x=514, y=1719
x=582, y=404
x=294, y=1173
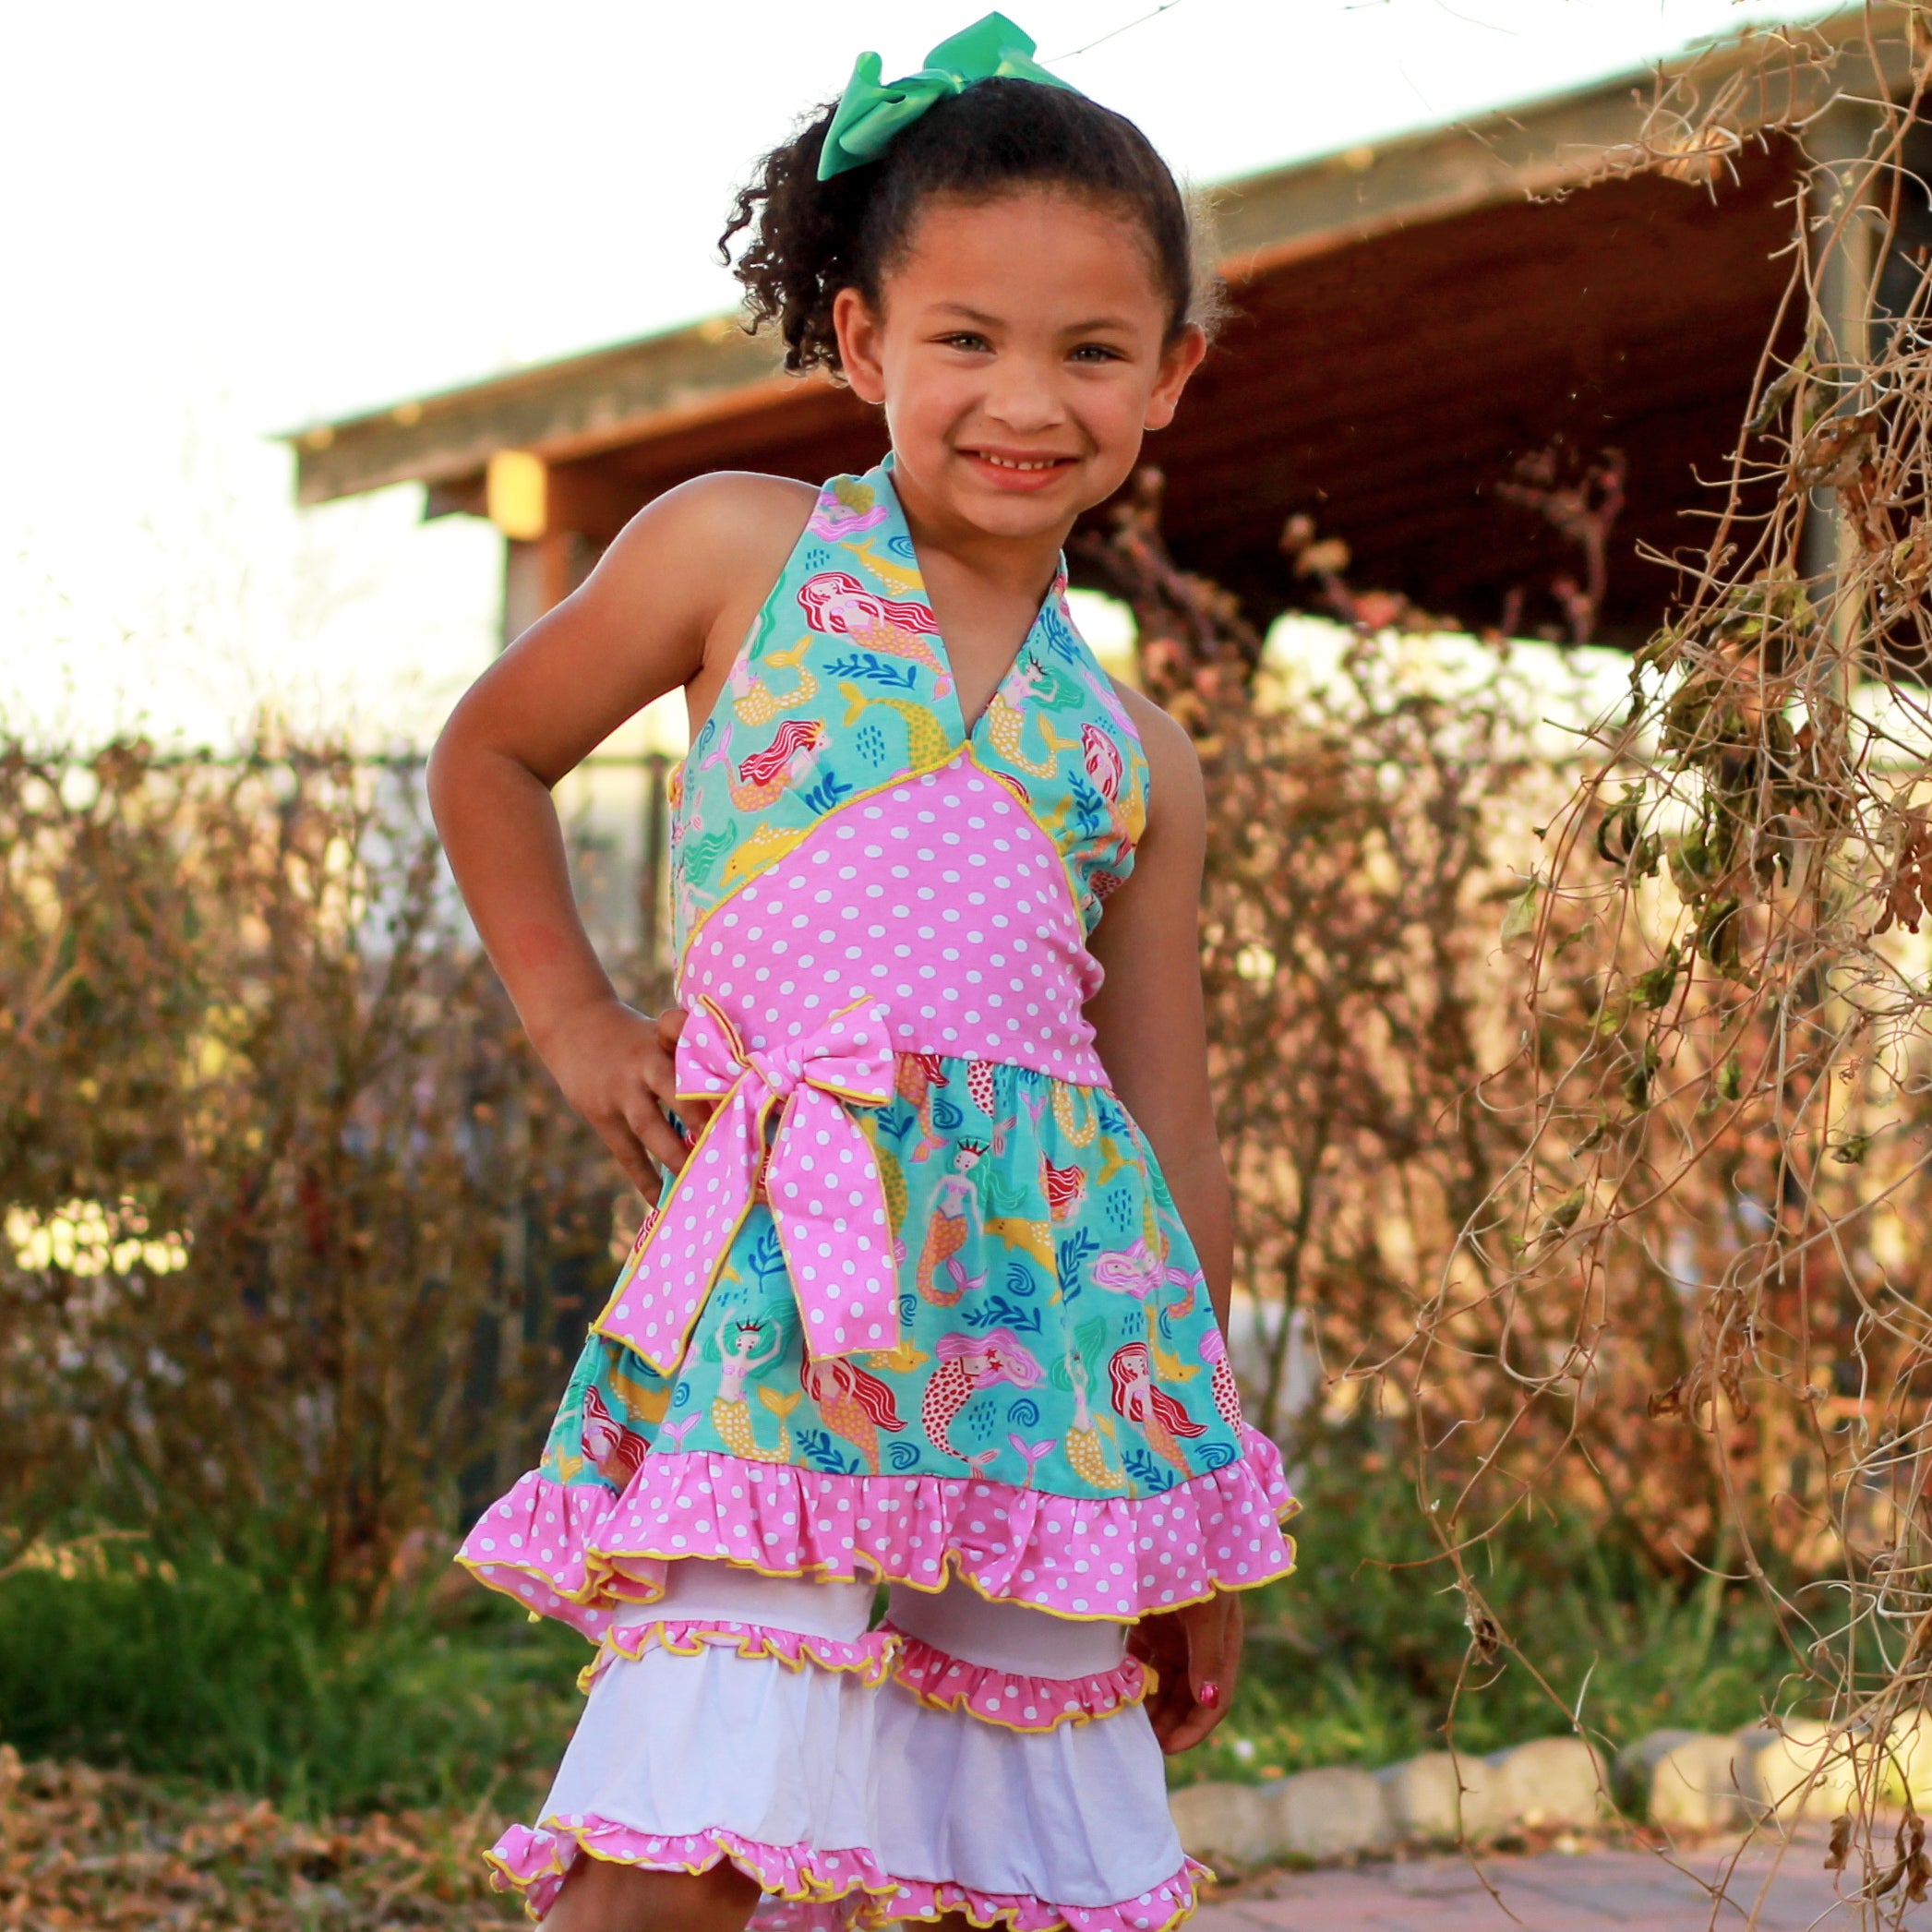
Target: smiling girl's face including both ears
x=1021, y=355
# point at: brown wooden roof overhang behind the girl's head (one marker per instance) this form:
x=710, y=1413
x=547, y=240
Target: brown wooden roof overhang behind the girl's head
x=1409, y=324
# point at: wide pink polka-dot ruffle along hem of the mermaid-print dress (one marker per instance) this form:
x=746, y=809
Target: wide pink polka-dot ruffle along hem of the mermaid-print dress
x=579, y=1552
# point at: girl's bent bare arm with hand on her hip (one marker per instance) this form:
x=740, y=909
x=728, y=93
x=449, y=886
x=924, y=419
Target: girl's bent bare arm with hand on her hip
x=668, y=606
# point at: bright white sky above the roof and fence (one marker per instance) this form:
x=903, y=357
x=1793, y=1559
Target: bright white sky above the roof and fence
x=233, y=219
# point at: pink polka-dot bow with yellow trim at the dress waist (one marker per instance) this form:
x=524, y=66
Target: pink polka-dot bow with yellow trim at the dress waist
x=822, y=1181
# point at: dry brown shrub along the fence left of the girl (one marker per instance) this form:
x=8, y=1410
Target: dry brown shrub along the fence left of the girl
x=295, y=1226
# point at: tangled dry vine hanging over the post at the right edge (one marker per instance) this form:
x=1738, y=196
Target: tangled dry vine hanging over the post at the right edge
x=1728, y=988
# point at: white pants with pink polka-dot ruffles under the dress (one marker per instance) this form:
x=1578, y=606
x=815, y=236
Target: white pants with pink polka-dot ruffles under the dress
x=965, y=1755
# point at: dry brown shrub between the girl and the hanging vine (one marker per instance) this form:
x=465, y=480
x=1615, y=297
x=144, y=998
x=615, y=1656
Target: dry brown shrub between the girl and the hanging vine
x=1369, y=913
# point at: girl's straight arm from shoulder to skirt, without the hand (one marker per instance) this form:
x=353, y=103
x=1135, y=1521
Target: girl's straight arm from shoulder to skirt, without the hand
x=1149, y=1023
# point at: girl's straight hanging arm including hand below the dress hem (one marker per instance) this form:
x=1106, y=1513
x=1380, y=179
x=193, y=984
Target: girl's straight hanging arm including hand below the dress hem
x=1152, y=1038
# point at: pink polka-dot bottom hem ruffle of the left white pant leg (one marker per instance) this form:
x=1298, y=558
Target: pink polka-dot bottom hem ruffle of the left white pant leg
x=536, y=1861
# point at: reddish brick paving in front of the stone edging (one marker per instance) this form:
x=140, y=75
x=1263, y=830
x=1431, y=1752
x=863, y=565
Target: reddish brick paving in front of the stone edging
x=1773, y=1889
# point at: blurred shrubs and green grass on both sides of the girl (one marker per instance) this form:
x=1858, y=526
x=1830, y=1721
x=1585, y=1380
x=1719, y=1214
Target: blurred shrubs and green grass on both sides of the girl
x=300, y=1241
